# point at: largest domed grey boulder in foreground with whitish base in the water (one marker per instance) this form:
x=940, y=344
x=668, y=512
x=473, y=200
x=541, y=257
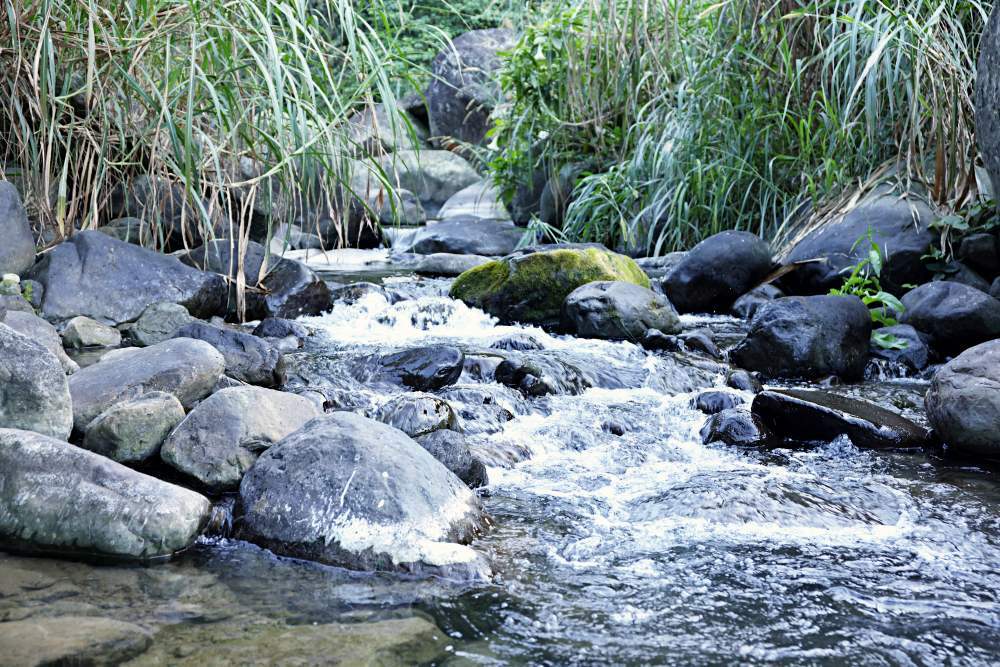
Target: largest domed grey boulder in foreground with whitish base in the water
x=350, y=491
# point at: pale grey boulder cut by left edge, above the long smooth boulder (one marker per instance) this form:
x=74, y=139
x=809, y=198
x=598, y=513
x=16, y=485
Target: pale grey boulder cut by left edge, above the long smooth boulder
x=34, y=393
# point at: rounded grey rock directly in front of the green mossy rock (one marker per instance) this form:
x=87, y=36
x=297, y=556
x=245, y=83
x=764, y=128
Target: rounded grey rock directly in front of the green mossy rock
x=615, y=310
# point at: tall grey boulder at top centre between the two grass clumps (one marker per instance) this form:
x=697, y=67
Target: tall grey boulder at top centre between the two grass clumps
x=464, y=89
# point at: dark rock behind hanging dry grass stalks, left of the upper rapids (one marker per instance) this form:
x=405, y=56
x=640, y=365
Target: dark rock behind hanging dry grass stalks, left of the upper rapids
x=289, y=287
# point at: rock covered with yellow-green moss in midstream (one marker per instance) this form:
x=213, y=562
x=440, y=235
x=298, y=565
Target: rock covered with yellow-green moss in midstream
x=531, y=288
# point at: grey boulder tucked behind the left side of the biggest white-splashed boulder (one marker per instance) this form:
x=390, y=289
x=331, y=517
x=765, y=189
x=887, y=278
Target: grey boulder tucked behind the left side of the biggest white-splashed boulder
x=223, y=436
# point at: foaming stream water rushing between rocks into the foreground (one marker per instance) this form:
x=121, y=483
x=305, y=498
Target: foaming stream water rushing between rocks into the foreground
x=641, y=548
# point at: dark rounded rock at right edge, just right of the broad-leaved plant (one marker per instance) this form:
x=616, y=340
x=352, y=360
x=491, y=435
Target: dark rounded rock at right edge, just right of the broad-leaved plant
x=955, y=316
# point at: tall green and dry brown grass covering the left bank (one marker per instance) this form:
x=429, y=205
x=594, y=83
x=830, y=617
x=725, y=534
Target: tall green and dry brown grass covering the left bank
x=235, y=104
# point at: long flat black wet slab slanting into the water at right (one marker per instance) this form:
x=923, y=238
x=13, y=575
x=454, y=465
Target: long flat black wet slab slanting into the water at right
x=809, y=416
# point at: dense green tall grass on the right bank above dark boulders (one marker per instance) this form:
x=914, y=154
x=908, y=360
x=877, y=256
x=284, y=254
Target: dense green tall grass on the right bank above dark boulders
x=743, y=114
